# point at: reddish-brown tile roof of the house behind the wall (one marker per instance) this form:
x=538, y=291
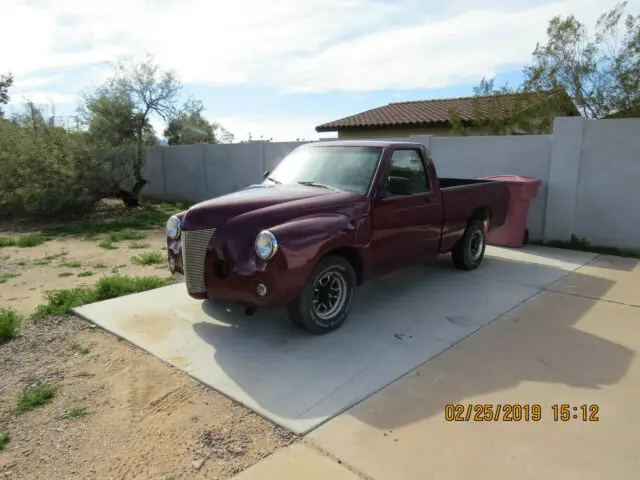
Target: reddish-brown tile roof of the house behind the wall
x=428, y=112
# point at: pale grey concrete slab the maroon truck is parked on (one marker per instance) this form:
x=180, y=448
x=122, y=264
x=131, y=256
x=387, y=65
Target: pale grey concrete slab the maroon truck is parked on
x=299, y=381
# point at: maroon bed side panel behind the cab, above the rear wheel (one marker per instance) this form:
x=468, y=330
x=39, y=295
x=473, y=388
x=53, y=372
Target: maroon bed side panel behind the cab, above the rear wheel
x=464, y=198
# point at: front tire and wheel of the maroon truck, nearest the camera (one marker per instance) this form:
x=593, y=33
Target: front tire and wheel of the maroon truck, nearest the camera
x=320, y=317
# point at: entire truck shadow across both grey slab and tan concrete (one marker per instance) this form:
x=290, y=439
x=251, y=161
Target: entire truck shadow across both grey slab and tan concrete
x=404, y=319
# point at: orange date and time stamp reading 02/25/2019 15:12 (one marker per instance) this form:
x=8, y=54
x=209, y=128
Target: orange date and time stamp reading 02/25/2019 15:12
x=519, y=412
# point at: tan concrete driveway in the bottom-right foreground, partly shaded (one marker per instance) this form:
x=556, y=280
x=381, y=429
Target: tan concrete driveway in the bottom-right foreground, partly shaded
x=554, y=349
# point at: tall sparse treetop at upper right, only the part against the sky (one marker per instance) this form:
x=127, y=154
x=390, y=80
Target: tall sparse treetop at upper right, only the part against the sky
x=600, y=71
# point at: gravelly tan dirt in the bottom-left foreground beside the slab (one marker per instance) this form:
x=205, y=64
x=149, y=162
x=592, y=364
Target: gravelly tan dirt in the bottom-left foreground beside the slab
x=144, y=419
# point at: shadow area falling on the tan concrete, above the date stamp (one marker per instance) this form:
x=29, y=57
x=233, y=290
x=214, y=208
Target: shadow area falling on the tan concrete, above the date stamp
x=535, y=343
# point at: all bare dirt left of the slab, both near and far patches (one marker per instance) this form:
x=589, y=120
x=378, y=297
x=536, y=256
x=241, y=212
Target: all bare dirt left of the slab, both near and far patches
x=137, y=417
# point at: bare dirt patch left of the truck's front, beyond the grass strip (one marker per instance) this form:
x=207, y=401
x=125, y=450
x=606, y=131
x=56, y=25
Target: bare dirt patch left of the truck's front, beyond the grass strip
x=39, y=268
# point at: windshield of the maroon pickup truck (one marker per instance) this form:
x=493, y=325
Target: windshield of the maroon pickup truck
x=345, y=168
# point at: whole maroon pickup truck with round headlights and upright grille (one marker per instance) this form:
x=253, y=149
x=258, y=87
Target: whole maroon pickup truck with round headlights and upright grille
x=329, y=217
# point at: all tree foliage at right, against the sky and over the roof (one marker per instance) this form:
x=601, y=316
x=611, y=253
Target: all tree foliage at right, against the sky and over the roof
x=596, y=75
